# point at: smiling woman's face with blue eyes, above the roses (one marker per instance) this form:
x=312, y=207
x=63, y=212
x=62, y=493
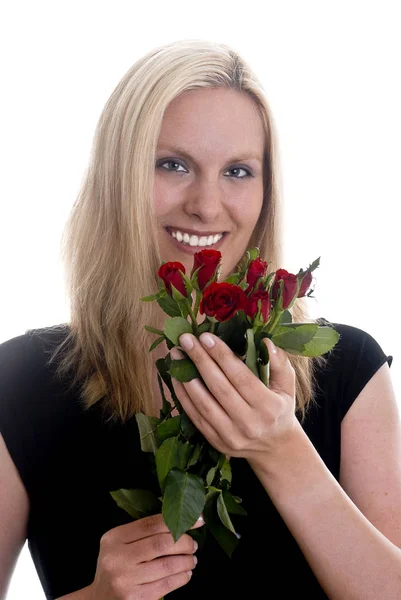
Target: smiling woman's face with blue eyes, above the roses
x=209, y=175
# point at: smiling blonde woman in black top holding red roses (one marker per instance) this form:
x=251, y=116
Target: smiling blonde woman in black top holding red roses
x=186, y=145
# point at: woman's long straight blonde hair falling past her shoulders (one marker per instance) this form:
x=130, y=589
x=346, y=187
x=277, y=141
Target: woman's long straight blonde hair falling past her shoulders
x=109, y=246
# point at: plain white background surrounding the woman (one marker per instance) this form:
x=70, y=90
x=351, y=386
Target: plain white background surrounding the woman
x=331, y=71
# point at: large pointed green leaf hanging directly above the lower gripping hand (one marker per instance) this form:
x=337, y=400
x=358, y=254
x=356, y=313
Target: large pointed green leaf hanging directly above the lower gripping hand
x=183, y=501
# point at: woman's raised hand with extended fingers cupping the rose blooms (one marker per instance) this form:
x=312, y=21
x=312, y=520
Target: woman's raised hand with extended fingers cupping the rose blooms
x=233, y=408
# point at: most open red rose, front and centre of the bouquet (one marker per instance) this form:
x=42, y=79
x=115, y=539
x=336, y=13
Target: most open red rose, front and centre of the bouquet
x=222, y=300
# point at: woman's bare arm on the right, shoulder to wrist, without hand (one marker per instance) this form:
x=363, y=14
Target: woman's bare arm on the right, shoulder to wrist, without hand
x=352, y=542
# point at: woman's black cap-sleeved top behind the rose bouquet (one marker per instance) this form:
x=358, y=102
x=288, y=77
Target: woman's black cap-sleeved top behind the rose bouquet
x=69, y=459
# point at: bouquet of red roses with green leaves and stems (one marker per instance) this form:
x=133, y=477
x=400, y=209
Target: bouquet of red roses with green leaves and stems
x=190, y=476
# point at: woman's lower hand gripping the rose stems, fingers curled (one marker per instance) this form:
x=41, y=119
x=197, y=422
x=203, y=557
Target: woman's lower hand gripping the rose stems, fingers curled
x=141, y=560
